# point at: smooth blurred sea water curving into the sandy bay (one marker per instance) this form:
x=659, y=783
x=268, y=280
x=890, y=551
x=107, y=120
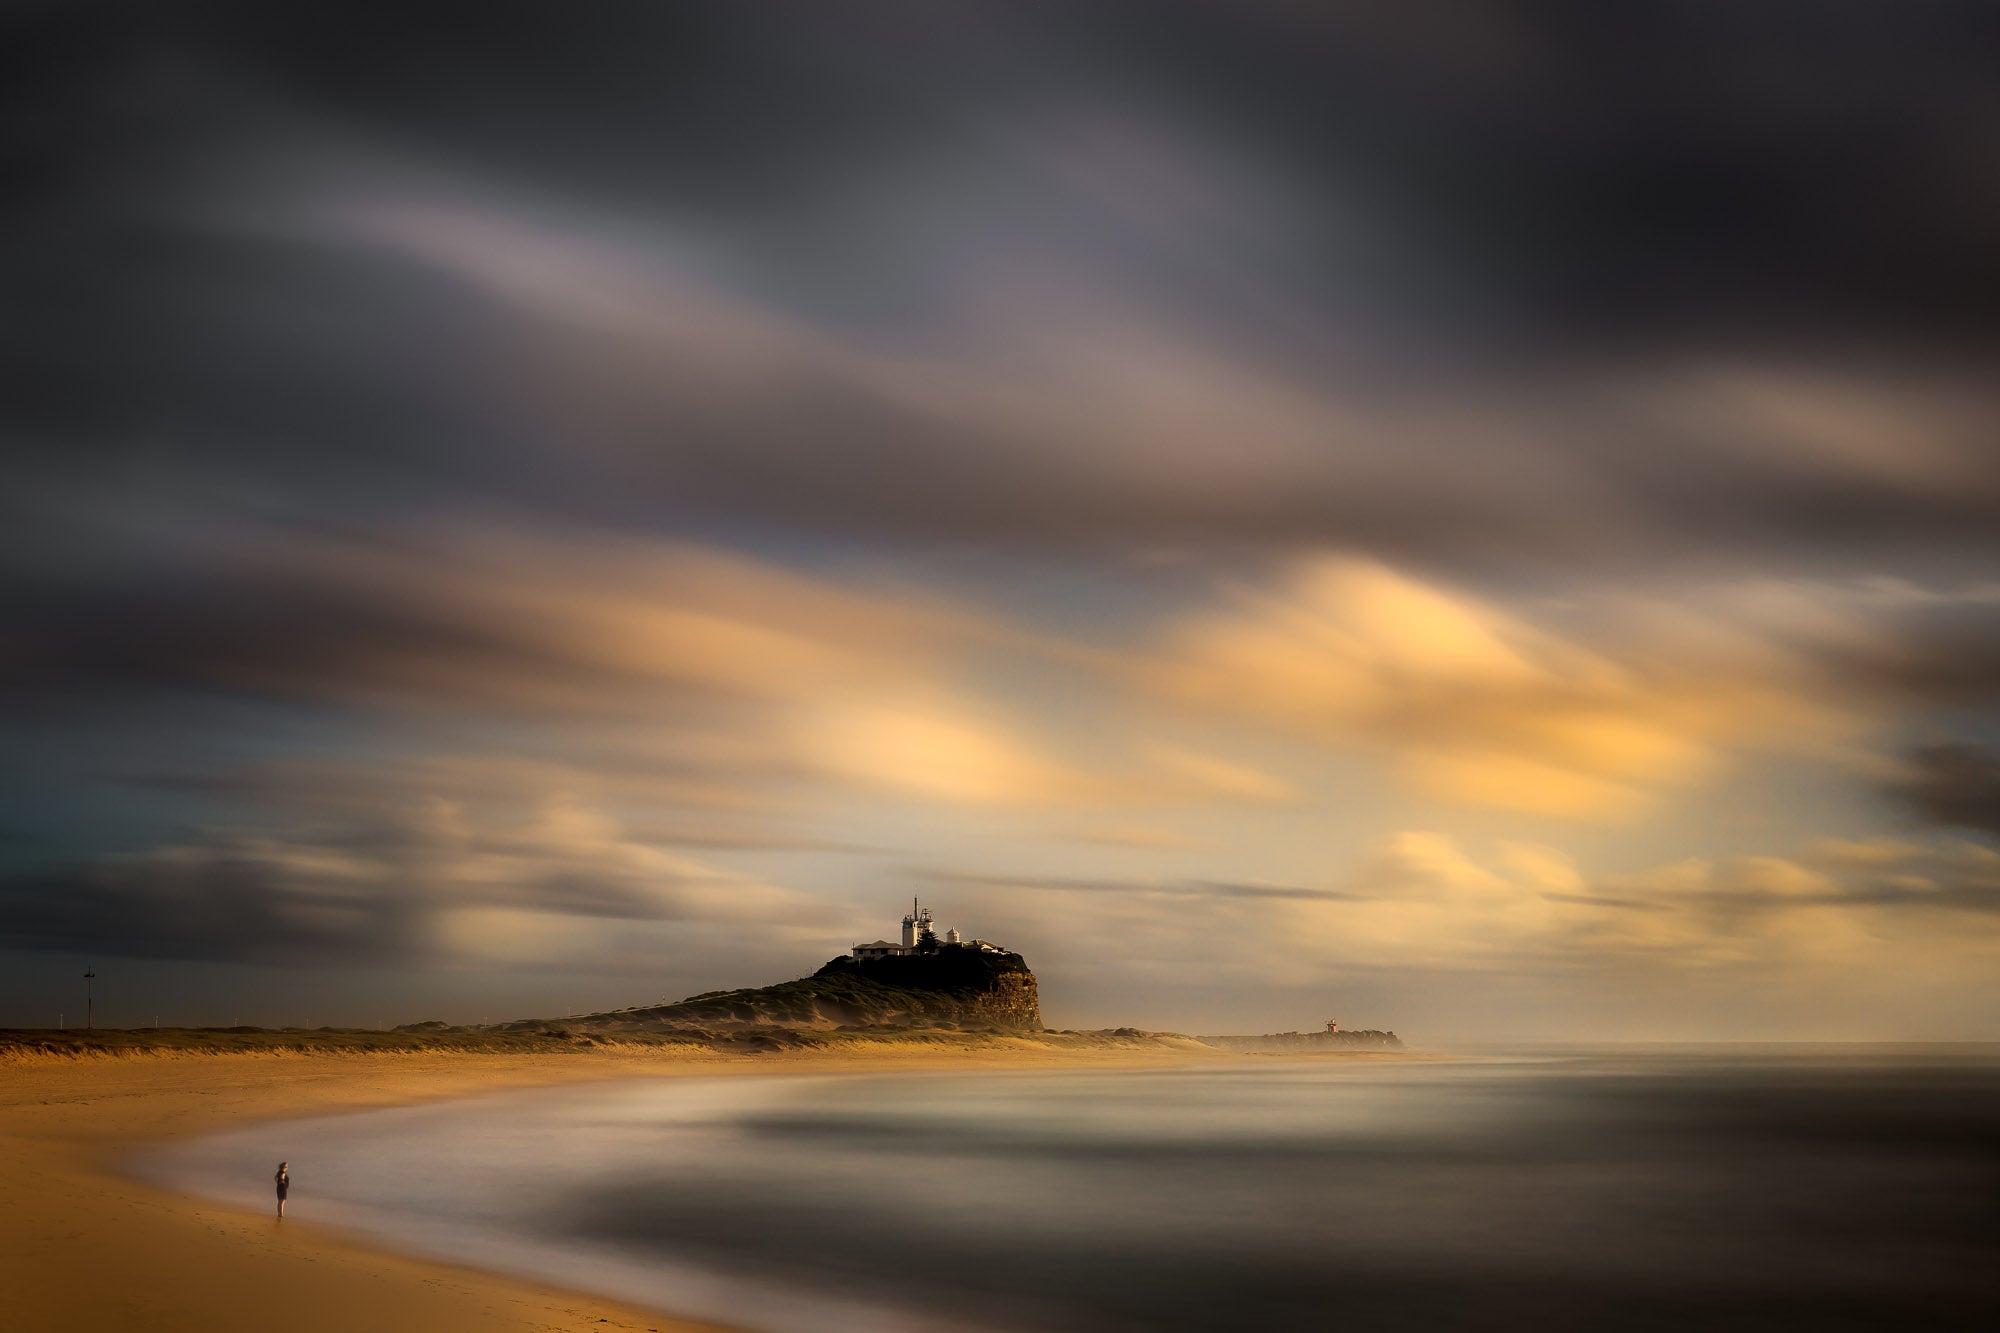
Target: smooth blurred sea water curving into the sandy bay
x=1747, y=1190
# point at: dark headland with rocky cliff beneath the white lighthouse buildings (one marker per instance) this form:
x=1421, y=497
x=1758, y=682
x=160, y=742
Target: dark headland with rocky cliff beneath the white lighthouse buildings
x=965, y=988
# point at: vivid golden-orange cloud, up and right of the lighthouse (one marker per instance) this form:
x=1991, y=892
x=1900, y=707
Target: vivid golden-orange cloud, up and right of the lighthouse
x=1473, y=704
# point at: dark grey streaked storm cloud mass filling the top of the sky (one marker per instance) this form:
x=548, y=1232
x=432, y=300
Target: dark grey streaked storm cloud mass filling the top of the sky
x=1543, y=279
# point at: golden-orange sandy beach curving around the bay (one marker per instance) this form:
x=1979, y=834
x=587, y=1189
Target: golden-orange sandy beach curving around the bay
x=85, y=1250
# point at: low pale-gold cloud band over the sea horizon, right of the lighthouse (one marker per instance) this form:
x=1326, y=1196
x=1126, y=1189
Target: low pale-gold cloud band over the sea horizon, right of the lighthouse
x=1779, y=944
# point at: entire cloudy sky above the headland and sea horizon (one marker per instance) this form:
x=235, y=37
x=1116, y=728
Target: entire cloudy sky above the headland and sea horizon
x=1475, y=519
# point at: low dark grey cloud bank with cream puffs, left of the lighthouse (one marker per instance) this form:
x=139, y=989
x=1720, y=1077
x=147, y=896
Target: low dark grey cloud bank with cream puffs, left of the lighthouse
x=391, y=882
